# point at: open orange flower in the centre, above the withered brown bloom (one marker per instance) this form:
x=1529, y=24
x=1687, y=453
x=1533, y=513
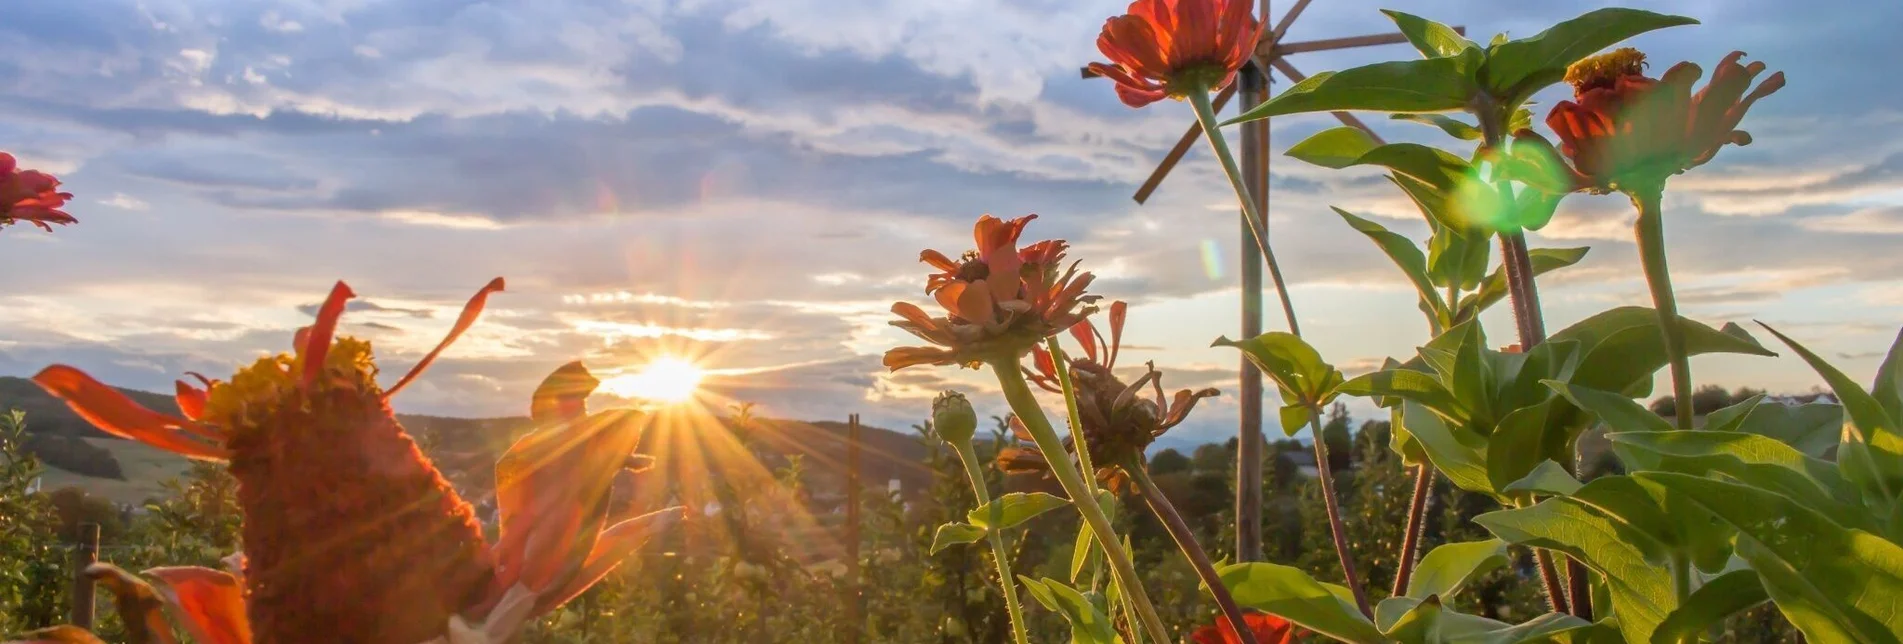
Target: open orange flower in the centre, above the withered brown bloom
x=1000, y=300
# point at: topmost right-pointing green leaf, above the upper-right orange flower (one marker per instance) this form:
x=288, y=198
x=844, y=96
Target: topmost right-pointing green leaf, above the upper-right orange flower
x=1518, y=70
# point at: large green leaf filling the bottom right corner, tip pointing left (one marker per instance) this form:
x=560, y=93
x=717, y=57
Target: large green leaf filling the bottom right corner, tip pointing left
x=1832, y=582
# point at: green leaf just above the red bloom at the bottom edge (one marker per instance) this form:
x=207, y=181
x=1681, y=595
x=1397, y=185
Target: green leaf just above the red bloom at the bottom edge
x=1297, y=597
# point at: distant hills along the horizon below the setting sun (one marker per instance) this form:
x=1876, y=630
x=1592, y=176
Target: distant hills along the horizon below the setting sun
x=467, y=449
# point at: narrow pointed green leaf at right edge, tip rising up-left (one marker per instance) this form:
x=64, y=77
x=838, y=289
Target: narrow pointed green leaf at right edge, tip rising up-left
x=1872, y=451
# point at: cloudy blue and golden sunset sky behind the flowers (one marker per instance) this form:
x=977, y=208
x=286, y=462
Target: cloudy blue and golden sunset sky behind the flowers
x=749, y=184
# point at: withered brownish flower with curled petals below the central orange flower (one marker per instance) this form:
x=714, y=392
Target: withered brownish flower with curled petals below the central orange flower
x=1118, y=422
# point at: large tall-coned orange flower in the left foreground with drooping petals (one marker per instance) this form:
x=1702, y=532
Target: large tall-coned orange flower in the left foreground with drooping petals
x=349, y=531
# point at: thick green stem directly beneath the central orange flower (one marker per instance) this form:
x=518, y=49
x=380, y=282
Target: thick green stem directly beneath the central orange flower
x=1021, y=399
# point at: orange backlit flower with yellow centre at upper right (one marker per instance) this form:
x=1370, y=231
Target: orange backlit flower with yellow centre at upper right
x=1630, y=132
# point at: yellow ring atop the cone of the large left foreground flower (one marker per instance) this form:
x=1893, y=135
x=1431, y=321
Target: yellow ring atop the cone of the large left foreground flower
x=260, y=390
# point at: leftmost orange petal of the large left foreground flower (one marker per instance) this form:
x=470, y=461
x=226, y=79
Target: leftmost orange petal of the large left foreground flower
x=117, y=414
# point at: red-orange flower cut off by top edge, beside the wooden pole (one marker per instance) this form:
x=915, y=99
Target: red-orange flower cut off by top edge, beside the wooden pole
x=1167, y=49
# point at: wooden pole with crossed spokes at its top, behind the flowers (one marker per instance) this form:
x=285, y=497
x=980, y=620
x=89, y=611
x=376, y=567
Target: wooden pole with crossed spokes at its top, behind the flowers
x=1253, y=85
